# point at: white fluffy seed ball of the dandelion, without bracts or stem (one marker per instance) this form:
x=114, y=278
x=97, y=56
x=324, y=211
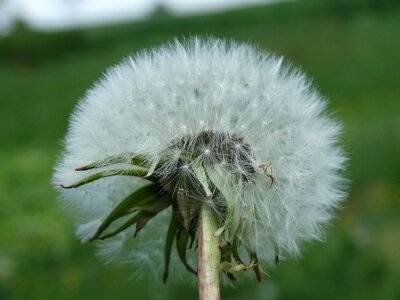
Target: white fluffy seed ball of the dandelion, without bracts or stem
x=180, y=90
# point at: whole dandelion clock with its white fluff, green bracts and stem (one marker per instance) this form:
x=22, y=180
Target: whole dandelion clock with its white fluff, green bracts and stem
x=224, y=137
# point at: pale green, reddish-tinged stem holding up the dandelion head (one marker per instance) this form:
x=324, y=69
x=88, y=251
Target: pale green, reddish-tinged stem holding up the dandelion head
x=209, y=256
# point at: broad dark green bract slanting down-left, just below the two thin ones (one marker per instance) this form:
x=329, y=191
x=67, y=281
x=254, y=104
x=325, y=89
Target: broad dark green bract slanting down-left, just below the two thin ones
x=140, y=198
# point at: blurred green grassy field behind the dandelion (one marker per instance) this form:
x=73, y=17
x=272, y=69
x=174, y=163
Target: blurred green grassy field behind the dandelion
x=351, y=50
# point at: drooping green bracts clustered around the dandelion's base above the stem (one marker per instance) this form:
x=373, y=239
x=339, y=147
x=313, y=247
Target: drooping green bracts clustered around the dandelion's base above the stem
x=201, y=181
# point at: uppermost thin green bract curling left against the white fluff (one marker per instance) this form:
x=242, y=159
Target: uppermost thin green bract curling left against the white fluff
x=131, y=158
